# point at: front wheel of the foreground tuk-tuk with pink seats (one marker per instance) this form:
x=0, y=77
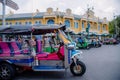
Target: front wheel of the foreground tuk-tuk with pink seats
x=78, y=70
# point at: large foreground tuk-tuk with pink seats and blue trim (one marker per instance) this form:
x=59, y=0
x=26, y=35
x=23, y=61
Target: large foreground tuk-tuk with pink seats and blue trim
x=14, y=59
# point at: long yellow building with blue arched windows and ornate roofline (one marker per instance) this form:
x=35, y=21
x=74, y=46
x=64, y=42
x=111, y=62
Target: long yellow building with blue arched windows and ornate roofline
x=76, y=23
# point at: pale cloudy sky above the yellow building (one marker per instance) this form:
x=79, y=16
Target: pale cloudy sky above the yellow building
x=102, y=8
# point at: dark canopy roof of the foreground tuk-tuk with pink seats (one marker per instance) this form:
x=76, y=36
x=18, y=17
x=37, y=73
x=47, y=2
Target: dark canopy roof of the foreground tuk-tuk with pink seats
x=28, y=29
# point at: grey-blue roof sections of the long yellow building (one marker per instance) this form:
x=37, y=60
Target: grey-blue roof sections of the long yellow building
x=40, y=15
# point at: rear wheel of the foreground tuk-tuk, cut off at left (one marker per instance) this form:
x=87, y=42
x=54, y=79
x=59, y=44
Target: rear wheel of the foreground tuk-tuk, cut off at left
x=7, y=72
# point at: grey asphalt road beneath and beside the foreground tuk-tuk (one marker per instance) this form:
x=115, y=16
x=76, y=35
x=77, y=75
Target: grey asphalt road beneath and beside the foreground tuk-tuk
x=102, y=64
